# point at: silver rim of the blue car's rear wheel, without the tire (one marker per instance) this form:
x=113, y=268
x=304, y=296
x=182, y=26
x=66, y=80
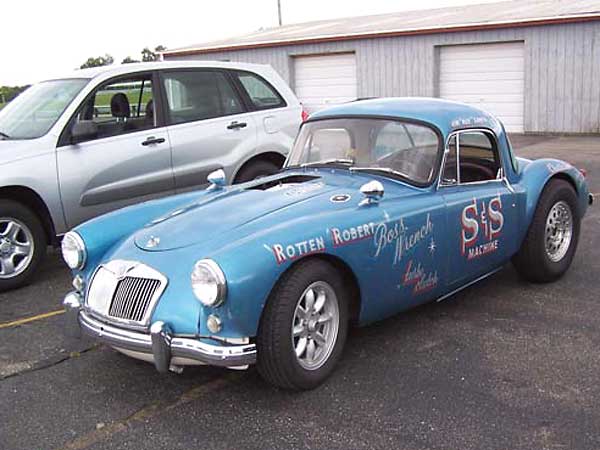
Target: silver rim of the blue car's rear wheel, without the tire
x=559, y=231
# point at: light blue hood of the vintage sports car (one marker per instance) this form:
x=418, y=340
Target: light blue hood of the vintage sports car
x=264, y=204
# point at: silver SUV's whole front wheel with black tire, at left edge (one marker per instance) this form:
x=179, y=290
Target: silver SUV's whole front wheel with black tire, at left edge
x=22, y=244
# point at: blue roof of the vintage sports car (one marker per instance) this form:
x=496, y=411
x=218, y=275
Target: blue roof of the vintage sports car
x=445, y=115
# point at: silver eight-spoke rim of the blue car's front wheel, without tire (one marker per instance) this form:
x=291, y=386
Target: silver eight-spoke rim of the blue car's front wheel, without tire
x=315, y=325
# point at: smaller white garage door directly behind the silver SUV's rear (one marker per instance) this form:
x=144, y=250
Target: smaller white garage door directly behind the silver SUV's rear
x=325, y=80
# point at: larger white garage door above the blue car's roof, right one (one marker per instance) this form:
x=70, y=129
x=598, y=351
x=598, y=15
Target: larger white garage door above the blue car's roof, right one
x=490, y=76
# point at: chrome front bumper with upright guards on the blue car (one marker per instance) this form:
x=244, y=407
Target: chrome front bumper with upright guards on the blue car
x=160, y=342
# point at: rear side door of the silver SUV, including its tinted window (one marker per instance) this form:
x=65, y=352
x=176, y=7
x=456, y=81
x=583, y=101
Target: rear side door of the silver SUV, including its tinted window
x=208, y=124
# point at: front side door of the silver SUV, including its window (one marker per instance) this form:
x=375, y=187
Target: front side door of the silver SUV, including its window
x=123, y=154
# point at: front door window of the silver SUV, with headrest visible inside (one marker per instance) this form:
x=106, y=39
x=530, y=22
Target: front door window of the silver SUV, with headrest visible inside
x=119, y=107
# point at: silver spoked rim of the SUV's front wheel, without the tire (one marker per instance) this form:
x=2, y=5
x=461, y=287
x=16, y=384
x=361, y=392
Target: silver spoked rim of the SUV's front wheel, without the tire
x=16, y=247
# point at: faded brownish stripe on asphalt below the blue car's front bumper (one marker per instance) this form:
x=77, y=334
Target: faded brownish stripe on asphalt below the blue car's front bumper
x=103, y=432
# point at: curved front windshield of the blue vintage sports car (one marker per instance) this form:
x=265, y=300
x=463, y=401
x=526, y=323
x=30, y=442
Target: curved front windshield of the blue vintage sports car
x=393, y=147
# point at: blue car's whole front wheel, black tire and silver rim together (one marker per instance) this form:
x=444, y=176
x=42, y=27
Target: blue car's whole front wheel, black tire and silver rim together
x=304, y=325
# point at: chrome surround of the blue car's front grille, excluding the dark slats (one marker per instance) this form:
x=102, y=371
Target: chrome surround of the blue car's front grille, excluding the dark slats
x=121, y=269
